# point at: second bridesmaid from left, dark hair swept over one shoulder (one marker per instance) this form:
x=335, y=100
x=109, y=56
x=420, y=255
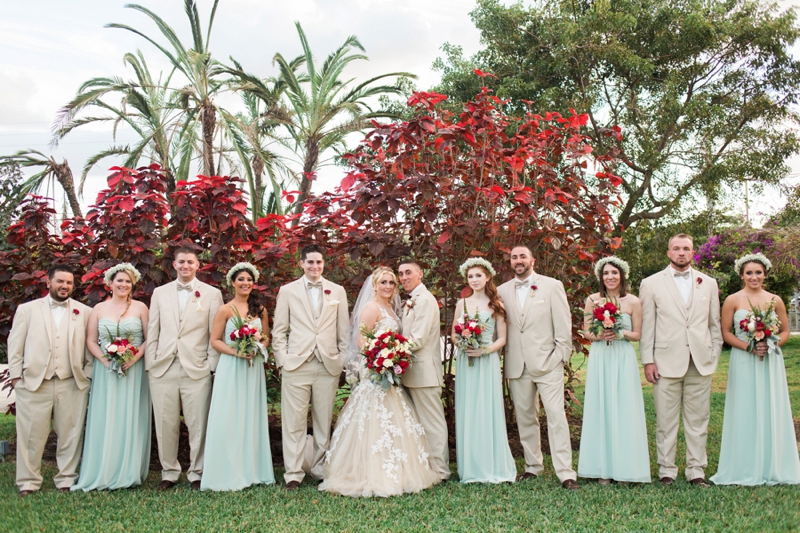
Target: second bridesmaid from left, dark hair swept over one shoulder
x=237, y=438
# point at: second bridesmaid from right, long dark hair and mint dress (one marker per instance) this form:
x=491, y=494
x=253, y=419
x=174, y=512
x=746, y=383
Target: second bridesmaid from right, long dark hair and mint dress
x=614, y=433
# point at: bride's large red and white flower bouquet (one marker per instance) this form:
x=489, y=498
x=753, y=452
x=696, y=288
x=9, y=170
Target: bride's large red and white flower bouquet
x=388, y=356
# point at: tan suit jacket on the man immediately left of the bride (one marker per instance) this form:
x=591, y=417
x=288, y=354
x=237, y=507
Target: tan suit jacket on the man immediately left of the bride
x=295, y=333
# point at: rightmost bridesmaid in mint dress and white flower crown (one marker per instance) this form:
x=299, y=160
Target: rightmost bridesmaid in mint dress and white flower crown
x=759, y=446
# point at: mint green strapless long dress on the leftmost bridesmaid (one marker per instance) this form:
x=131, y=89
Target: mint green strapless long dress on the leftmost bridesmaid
x=116, y=449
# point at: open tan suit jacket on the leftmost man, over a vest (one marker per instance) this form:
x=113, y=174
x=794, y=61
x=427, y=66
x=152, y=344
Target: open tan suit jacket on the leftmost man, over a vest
x=29, y=343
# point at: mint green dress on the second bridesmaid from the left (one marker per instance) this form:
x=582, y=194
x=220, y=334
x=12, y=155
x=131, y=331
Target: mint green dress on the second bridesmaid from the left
x=237, y=452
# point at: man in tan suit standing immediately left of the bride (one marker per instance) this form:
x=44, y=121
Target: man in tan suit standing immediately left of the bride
x=309, y=339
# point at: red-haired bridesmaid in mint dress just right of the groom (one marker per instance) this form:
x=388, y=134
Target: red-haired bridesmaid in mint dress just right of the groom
x=482, y=450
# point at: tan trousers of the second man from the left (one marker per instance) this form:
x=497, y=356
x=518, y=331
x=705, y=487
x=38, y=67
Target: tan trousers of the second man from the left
x=169, y=392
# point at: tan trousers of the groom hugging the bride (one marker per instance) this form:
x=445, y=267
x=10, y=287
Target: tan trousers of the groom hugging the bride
x=430, y=412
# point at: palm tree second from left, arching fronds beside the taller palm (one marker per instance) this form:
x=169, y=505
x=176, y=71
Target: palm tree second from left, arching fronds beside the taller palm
x=144, y=107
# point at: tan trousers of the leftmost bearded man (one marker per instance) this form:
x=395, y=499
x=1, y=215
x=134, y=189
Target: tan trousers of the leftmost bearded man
x=62, y=400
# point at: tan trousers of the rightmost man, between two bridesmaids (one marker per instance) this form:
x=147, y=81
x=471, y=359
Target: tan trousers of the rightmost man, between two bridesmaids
x=694, y=392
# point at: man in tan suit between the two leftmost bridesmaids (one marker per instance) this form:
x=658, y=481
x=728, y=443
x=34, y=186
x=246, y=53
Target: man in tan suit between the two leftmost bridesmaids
x=179, y=360
